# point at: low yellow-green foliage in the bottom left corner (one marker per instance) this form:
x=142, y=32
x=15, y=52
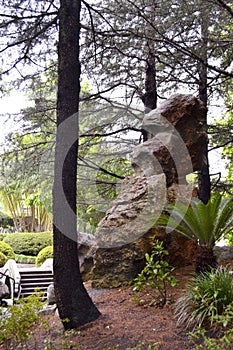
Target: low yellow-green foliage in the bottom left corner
x=17, y=324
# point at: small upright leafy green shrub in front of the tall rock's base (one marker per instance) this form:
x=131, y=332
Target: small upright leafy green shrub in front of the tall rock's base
x=156, y=274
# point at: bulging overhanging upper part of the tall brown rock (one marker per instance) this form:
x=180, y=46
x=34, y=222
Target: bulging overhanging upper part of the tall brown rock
x=176, y=139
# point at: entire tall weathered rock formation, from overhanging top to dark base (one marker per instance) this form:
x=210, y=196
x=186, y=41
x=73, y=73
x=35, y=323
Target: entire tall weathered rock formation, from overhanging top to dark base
x=174, y=149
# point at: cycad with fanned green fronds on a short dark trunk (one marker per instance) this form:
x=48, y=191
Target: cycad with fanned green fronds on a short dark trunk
x=203, y=223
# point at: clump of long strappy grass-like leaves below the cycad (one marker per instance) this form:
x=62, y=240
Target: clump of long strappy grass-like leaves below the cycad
x=207, y=296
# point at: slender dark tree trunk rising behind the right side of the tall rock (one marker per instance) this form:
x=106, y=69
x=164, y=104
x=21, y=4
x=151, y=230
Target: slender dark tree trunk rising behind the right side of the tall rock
x=204, y=185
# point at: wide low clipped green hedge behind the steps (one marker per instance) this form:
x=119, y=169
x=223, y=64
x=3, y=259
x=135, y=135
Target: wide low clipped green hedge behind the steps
x=29, y=243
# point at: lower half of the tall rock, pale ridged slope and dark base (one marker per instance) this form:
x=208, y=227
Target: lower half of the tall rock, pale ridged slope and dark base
x=121, y=235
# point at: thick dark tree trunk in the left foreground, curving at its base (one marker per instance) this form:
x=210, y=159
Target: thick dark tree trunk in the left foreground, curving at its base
x=74, y=304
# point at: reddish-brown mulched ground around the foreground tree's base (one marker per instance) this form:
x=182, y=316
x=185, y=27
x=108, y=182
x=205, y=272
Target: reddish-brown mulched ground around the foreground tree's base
x=123, y=322
